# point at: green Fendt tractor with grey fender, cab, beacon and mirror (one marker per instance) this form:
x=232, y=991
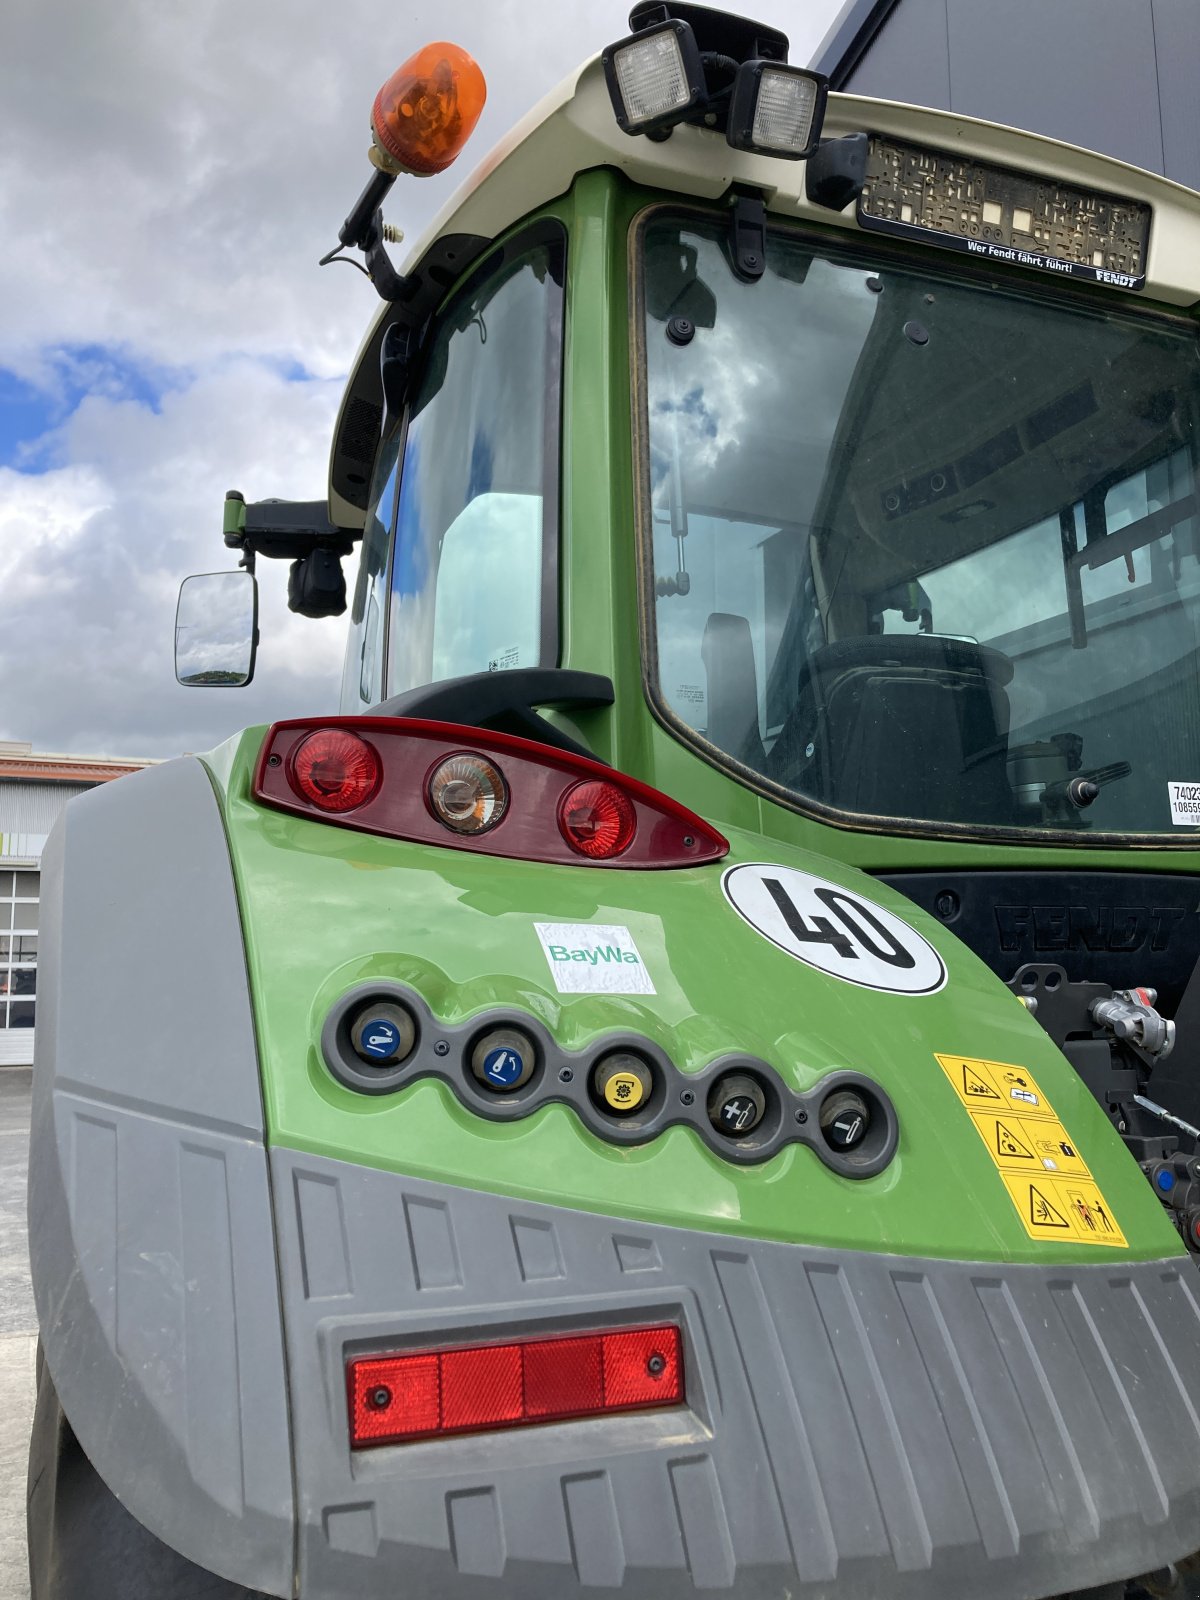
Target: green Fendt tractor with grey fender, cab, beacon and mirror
x=689, y=1082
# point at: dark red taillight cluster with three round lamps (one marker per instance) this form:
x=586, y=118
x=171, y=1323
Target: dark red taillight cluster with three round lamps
x=442, y=785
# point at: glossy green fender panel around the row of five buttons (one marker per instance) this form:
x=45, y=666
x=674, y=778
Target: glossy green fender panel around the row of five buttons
x=326, y=908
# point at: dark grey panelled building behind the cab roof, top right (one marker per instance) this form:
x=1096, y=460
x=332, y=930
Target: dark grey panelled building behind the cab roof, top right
x=1114, y=76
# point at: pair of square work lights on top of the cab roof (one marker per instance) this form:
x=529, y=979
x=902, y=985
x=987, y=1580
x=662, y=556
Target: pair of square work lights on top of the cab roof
x=690, y=63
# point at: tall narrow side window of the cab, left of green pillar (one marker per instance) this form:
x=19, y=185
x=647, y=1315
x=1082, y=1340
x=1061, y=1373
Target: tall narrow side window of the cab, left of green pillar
x=474, y=567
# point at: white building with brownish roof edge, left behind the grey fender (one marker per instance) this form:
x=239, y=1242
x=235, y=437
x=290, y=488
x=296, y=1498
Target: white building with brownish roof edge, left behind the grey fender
x=34, y=791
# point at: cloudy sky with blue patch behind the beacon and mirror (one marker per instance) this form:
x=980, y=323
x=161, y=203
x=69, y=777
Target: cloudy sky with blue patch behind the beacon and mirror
x=170, y=172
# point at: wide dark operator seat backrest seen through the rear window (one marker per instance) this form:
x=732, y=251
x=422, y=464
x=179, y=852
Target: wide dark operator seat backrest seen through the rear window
x=908, y=726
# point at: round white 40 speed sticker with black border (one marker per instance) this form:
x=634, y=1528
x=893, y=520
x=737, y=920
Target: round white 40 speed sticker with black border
x=828, y=927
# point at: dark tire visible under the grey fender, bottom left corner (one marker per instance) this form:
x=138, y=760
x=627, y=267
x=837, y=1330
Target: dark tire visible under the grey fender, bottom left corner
x=82, y=1542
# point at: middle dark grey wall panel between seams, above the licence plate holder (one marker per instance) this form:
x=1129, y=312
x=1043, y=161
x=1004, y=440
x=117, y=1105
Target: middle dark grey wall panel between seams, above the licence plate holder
x=1081, y=71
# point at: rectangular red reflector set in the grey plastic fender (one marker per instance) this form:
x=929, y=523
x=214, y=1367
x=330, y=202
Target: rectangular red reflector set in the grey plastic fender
x=404, y=1398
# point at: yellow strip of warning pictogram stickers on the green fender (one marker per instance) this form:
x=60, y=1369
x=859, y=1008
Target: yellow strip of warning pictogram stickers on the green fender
x=1036, y=1158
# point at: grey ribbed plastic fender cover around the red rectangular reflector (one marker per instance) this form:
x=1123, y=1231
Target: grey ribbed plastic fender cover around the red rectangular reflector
x=857, y=1426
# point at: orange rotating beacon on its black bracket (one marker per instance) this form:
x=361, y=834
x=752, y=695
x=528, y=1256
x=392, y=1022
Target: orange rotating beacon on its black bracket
x=422, y=119
